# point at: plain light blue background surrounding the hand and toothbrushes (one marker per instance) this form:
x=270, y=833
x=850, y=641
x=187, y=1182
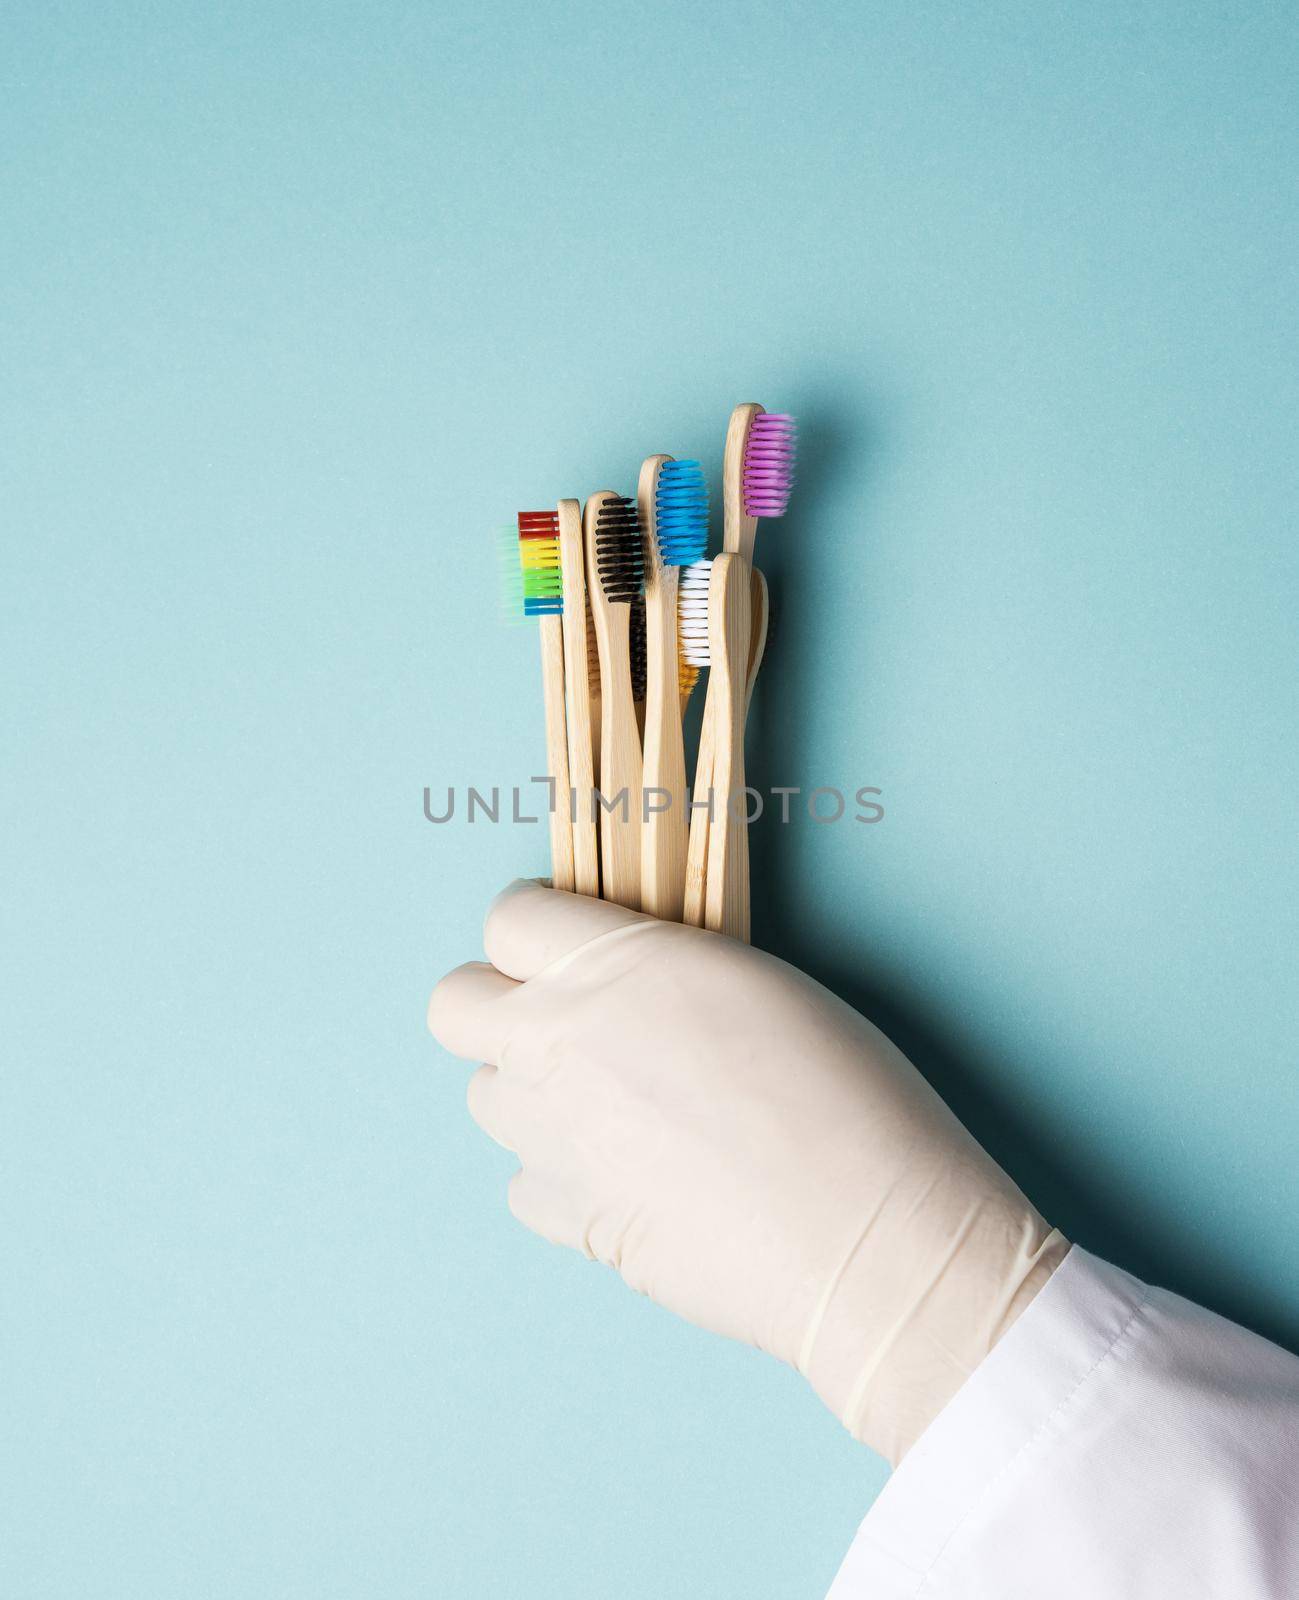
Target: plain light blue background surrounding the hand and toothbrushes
x=300, y=303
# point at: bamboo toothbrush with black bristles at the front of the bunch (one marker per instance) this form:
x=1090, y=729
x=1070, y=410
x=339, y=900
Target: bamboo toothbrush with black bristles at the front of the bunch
x=617, y=558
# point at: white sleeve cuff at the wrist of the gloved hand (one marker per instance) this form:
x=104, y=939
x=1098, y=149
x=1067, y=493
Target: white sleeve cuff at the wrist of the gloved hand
x=1119, y=1444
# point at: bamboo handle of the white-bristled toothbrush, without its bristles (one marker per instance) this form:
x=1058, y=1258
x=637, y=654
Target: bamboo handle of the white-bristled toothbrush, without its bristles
x=727, y=898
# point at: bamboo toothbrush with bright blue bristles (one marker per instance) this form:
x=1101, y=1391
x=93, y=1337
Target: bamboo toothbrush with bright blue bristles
x=674, y=511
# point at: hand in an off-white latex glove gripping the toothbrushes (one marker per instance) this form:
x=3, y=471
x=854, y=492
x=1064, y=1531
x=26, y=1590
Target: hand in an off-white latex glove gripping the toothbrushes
x=745, y=1150
